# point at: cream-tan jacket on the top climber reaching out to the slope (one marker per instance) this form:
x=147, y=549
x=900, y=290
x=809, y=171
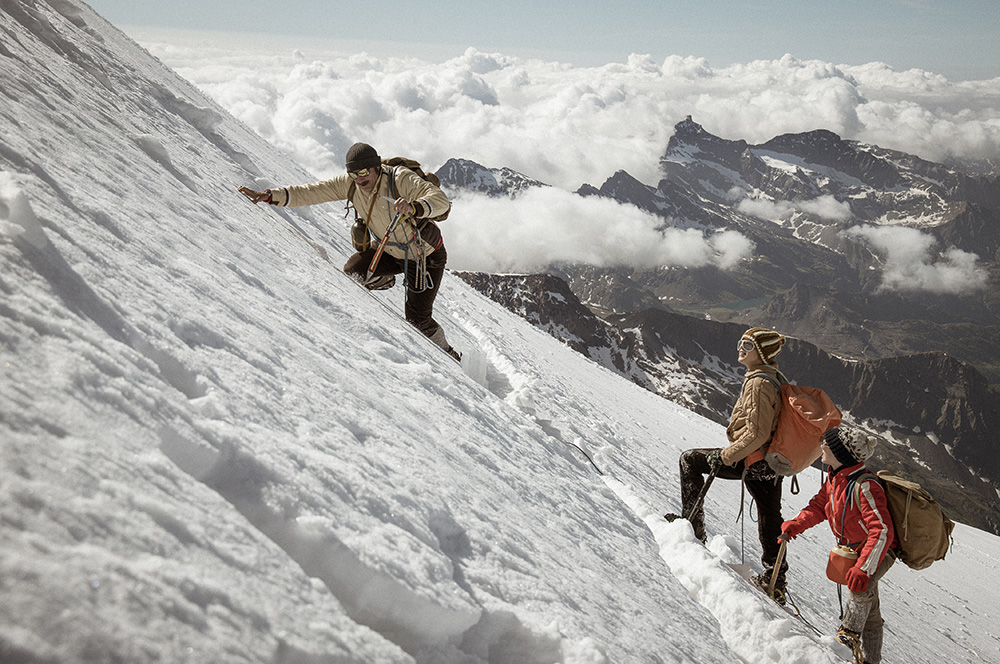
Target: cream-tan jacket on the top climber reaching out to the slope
x=429, y=201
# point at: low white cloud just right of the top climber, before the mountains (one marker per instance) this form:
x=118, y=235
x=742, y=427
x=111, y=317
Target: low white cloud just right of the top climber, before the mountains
x=545, y=226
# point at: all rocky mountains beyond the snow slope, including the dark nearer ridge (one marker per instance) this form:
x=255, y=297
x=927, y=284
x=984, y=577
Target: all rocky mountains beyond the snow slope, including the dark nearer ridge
x=911, y=366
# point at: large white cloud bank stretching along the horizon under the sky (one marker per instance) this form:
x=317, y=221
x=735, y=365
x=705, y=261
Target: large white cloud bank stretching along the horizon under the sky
x=568, y=125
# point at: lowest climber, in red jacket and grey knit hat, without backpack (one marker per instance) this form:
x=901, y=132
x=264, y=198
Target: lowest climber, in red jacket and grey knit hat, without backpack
x=854, y=504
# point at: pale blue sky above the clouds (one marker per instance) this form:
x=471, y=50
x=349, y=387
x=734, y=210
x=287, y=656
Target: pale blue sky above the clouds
x=957, y=38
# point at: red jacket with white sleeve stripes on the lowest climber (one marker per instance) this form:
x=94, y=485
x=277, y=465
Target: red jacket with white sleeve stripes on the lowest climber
x=865, y=525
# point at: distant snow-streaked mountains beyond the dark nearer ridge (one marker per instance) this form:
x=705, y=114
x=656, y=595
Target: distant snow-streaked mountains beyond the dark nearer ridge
x=806, y=277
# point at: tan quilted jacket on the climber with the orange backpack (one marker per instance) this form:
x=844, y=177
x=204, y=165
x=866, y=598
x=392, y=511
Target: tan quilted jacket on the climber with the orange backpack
x=755, y=415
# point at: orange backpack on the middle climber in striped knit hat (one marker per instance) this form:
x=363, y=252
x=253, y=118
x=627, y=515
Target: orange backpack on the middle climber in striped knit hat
x=806, y=413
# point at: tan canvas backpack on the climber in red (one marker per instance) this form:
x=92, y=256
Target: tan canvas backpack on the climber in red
x=923, y=530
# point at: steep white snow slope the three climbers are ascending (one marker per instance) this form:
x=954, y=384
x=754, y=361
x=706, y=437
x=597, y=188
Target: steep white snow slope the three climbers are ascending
x=218, y=448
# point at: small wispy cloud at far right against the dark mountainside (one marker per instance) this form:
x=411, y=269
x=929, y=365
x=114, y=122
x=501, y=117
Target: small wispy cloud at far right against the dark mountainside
x=910, y=264
